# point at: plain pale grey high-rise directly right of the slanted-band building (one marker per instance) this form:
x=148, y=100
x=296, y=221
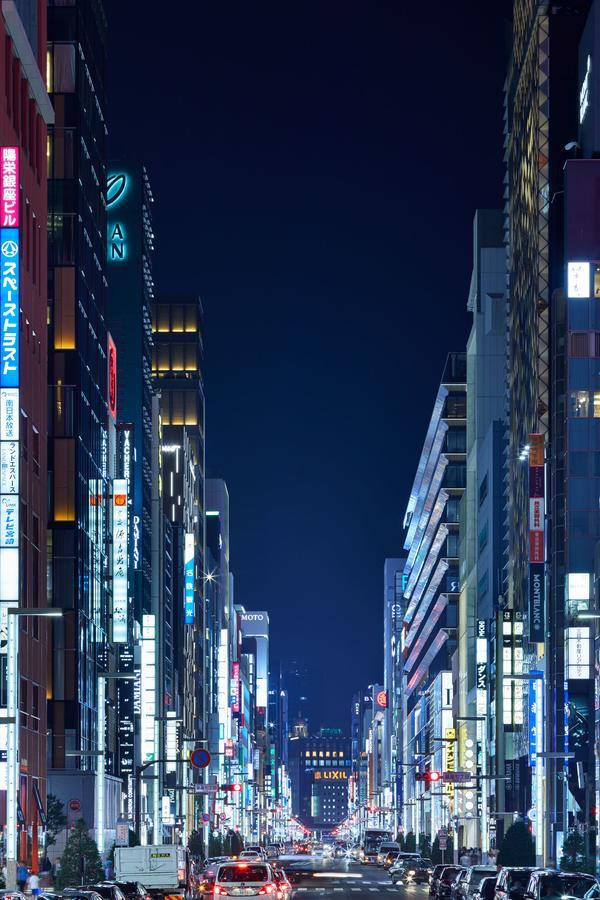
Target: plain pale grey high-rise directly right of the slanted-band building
x=478, y=701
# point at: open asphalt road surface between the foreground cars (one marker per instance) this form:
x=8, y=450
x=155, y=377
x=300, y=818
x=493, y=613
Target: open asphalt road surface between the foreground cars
x=342, y=879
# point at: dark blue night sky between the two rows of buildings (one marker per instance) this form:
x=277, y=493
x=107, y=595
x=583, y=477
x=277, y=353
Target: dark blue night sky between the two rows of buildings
x=316, y=167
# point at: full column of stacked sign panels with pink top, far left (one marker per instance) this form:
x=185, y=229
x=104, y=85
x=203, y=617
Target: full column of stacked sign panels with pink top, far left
x=9, y=482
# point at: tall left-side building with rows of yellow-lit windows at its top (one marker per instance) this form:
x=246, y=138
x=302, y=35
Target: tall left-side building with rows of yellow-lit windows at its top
x=178, y=382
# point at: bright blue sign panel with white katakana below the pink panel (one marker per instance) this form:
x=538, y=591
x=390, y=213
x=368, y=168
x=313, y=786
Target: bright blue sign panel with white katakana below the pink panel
x=9, y=307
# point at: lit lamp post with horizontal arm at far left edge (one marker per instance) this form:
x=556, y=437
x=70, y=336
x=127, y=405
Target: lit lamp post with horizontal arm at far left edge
x=12, y=728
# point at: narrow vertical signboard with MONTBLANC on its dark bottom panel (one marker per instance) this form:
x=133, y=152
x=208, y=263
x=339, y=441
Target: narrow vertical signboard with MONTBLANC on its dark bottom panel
x=537, y=544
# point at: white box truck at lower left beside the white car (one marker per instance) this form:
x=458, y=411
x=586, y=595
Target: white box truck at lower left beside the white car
x=163, y=869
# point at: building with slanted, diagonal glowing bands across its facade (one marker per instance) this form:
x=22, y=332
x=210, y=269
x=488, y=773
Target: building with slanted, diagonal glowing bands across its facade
x=431, y=594
